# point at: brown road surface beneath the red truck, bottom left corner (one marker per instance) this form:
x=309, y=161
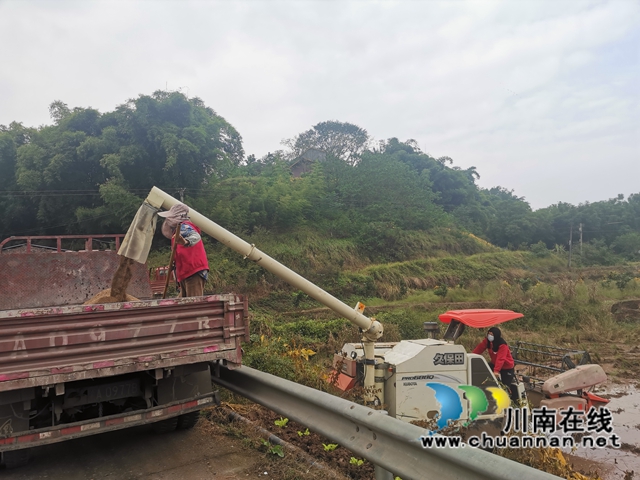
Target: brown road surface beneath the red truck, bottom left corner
x=140, y=454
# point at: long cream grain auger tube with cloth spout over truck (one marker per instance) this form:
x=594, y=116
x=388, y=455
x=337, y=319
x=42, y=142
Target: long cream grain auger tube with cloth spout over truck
x=138, y=236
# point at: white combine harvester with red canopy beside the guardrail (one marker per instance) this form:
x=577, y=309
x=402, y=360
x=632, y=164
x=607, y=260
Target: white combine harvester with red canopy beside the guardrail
x=405, y=370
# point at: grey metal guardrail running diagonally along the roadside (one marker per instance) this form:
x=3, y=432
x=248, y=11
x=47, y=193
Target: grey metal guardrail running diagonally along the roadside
x=384, y=441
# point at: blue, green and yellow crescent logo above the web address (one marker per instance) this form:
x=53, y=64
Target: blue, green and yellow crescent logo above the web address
x=450, y=403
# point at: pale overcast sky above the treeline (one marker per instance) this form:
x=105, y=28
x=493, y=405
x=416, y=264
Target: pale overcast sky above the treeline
x=543, y=97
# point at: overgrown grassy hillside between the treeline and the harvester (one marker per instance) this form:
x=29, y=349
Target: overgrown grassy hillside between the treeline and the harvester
x=441, y=270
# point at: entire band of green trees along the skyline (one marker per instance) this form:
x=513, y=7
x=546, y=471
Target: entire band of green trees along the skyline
x=89, y=171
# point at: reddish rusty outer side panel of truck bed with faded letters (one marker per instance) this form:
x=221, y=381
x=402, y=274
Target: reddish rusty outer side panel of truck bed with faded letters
x=43, y=346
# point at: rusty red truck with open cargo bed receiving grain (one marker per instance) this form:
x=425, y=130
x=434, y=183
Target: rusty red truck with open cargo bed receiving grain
x=69, y=370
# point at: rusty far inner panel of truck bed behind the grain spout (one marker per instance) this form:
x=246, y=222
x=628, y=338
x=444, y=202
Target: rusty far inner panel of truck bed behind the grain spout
x=62, y=278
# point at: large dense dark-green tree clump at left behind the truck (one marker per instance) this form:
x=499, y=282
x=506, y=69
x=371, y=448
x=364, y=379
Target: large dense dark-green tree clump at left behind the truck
x=164, y=139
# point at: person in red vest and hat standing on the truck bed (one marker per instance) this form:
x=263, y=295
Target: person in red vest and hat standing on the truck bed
x=191, y=265
